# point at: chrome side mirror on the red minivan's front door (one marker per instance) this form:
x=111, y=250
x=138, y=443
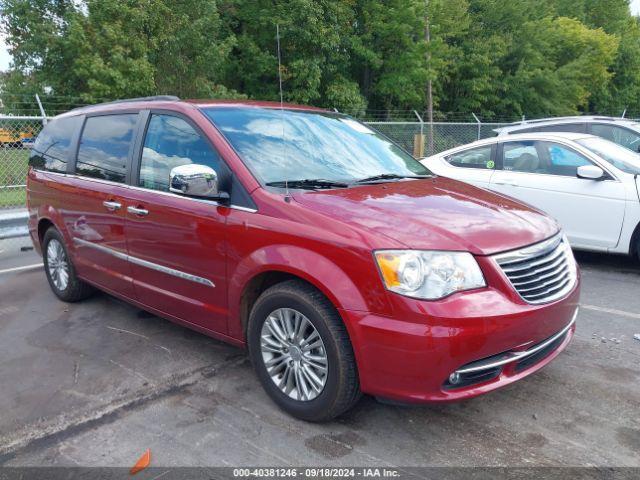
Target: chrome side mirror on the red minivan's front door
x=194, y=180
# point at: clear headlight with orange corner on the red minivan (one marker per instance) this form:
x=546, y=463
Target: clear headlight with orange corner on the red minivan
x=428, y=274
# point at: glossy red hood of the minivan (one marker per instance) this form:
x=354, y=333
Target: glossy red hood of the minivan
x=435, y=213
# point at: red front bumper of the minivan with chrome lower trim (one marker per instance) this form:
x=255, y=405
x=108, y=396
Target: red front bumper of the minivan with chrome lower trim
x=484, y=336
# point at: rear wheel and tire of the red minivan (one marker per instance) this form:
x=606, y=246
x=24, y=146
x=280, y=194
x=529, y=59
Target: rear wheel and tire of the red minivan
x=60, y=271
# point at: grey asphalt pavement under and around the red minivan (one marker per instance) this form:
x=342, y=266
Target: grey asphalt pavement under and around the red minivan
x=97, y=383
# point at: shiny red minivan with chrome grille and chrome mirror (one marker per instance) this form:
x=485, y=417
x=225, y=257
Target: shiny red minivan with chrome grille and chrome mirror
x=340, y=262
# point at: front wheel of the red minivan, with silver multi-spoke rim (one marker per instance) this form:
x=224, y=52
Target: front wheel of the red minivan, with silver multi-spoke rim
x=301, y=352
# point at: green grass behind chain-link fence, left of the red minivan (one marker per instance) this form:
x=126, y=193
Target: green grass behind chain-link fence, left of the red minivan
x=13, y=171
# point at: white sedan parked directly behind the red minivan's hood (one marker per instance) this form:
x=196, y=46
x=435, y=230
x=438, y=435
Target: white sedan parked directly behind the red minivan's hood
x=587, y=183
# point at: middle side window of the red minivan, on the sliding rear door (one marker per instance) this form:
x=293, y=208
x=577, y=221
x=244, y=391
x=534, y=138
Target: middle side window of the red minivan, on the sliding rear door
x=104, y=146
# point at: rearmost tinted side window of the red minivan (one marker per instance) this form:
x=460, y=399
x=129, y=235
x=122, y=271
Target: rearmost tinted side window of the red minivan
x=51, y=150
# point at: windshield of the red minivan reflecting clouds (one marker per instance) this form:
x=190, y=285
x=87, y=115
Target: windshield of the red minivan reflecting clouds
x=295, y=145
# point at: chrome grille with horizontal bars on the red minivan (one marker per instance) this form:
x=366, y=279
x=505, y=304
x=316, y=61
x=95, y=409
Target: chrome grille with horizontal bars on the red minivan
x=540, y=273
